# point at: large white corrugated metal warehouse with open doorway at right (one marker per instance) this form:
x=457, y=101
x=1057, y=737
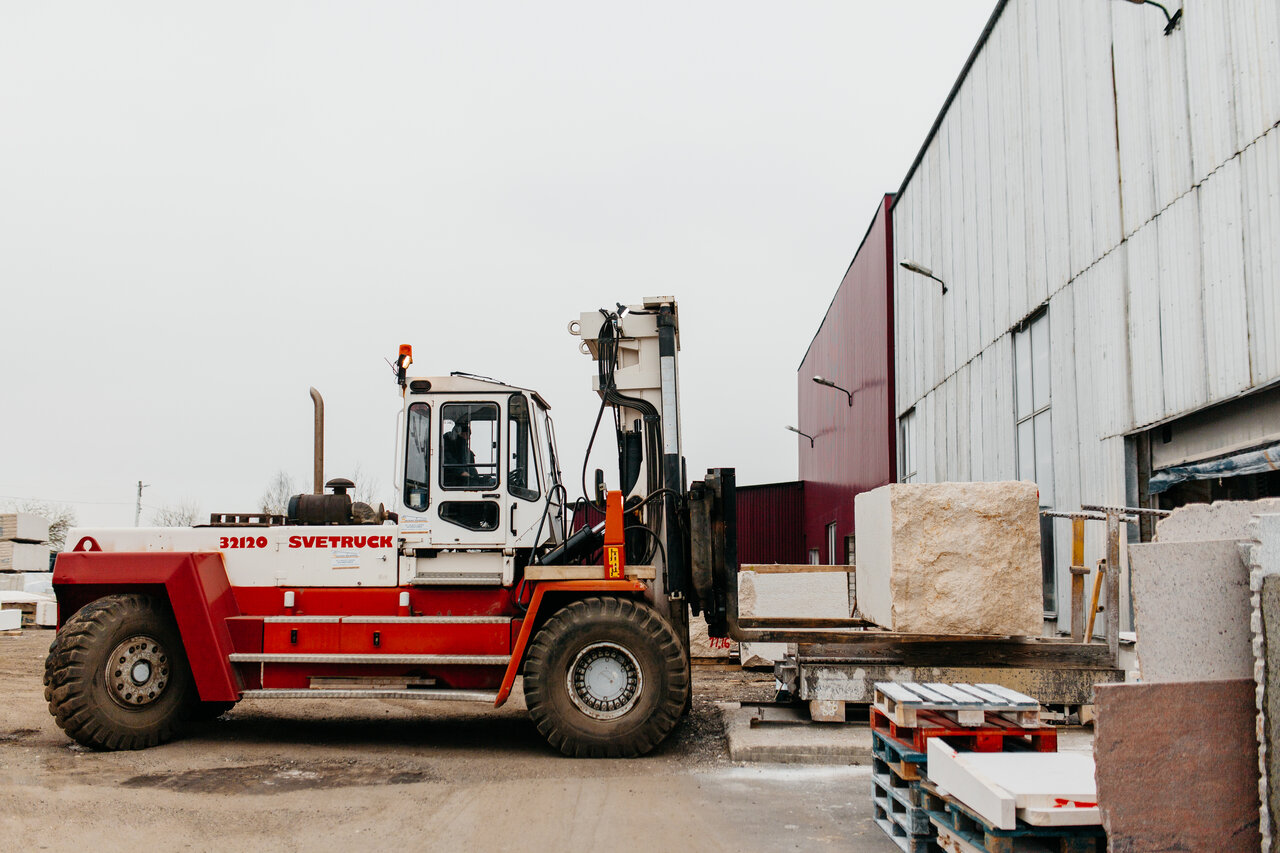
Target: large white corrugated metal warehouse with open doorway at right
x=1103, y=203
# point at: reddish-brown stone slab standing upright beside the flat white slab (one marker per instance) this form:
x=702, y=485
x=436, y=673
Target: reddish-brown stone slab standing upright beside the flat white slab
x=1178, y=767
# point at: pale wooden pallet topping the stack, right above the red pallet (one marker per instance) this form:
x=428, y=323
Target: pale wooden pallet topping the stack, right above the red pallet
x=968, y=705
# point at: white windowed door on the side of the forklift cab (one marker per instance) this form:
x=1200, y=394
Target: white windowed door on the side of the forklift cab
x=469, y=505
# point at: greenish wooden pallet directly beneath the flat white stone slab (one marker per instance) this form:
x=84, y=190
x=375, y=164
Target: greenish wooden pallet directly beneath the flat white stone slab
x=959, y=831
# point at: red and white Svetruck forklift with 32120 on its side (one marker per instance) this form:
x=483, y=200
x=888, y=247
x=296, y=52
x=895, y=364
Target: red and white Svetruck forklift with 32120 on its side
x=474, y=577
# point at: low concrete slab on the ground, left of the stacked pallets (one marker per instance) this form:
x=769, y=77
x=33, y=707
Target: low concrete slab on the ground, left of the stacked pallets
x=799, y=743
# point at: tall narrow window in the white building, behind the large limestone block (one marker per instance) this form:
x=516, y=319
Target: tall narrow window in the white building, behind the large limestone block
x=1035, y=430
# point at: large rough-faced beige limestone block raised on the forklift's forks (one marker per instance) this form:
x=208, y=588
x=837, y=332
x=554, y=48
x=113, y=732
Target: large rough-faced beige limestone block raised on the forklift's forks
x=950, y=558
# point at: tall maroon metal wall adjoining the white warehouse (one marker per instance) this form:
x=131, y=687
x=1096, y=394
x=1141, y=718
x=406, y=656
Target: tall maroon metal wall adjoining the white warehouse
x=854, y=448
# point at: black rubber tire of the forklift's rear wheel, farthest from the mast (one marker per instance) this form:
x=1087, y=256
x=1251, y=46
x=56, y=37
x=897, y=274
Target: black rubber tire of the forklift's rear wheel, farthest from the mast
x=76, y=676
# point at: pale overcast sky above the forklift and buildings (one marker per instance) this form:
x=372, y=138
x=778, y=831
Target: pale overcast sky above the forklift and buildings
x=205, y=209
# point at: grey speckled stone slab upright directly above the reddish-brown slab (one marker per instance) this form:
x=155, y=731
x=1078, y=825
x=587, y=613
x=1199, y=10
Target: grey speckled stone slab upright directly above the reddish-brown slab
x=1191, y=610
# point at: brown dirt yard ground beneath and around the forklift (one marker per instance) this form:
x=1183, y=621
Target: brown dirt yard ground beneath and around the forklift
x=321, y=776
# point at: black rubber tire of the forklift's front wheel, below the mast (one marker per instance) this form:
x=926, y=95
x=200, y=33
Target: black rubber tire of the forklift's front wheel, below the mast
x=655, y=710
